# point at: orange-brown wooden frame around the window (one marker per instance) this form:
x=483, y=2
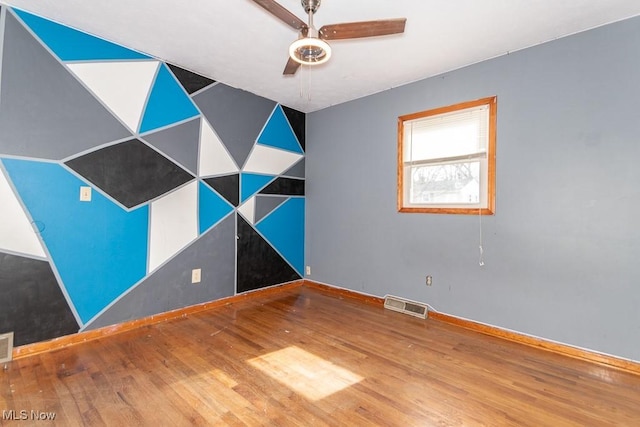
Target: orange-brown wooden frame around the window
x=491, y=102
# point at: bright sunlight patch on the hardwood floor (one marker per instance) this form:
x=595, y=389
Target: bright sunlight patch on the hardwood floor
x=305, y=373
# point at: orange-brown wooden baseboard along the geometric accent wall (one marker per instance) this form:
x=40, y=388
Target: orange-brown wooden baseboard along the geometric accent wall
x=65, y=341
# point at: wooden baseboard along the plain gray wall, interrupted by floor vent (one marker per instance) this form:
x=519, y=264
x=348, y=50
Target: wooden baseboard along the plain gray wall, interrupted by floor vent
x=563, y=349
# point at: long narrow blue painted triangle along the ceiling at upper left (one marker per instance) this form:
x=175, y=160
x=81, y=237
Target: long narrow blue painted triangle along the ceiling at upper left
x=74, y=45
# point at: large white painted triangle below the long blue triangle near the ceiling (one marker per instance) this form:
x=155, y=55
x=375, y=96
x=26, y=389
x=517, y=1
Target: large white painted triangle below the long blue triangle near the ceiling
x=122, y=86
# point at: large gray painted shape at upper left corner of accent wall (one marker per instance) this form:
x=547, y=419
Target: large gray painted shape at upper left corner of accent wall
x=45, y=112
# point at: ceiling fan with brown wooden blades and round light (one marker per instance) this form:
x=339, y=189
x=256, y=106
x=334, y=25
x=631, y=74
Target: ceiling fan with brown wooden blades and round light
x=311, y=47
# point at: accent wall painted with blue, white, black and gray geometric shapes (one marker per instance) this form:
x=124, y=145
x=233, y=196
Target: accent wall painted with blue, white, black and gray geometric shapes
x=184, y=172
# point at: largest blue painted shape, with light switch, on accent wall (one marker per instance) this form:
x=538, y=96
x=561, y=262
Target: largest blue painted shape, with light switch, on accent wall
x=97, y=240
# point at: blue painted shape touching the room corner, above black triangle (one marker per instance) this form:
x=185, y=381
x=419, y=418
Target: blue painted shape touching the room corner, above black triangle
x=284, y=229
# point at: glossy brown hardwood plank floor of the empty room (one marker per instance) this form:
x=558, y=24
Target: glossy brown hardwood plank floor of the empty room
x=305, y=357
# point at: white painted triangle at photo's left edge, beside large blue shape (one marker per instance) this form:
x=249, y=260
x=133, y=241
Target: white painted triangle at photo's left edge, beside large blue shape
x=16, y=232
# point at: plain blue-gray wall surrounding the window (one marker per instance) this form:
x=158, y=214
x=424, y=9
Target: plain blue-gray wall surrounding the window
x=562, y=252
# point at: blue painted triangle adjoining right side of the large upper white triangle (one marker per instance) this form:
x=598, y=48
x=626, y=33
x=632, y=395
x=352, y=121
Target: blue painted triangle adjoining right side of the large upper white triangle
x=168, y=103
